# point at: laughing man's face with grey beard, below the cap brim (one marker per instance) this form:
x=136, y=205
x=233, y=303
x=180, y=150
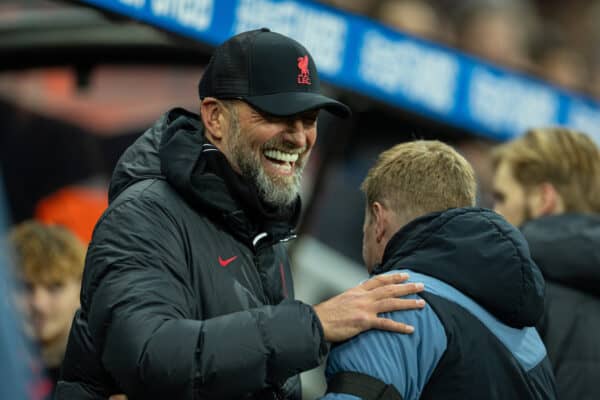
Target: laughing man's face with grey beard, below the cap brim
x=271, y=151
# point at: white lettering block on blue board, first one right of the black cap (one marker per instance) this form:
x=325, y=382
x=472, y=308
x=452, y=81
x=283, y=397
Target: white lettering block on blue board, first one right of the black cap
x=422, y=75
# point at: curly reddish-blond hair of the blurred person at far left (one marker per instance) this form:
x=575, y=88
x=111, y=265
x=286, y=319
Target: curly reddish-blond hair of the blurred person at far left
x=46, y=254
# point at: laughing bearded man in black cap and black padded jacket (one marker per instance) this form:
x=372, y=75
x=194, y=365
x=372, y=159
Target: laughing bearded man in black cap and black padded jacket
x=187, y=289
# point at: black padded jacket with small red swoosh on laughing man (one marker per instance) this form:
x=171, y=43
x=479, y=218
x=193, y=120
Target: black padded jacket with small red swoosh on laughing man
x=187, y=291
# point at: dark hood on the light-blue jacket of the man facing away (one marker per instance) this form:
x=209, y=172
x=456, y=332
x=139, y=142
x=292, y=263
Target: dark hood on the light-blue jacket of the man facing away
x=476, y=251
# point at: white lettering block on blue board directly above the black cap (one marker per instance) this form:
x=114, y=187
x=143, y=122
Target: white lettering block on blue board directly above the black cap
x=322, y=32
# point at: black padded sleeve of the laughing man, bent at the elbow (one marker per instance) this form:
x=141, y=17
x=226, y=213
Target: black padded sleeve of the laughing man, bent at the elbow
x=136, y=291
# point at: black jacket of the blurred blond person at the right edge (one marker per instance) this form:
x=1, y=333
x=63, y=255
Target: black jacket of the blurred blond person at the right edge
x=567, y=250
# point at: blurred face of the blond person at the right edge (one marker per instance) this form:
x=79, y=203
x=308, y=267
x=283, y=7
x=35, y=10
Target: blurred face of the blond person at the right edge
x=510, y=197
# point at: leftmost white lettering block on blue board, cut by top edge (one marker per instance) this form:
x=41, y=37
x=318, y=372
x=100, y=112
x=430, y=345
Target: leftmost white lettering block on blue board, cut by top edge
x=195, y=14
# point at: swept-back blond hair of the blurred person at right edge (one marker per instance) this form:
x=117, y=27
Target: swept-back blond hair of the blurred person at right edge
x=567, y=159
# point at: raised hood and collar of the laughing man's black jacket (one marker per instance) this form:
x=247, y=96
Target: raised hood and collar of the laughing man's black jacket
x=176, y=150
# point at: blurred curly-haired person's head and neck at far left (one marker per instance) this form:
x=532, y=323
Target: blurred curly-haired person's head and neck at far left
x=49, y=263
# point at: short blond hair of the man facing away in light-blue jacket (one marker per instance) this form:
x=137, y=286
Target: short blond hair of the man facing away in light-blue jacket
x=419, y=177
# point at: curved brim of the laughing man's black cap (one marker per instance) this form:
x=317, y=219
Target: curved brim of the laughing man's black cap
x=290, y=103
